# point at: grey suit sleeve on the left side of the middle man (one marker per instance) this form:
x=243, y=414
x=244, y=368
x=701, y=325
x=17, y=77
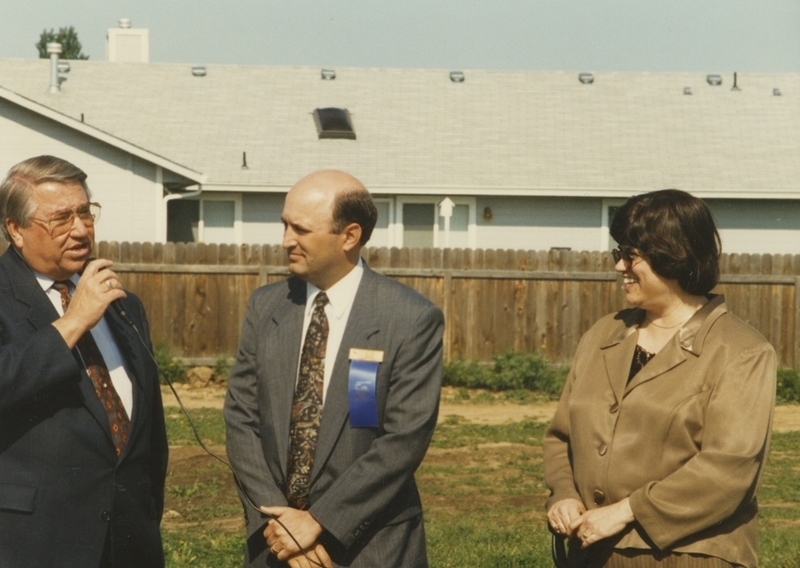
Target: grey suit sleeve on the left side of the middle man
x=242, y=419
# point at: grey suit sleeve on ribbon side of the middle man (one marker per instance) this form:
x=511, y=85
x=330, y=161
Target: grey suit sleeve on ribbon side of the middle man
x=365, y=489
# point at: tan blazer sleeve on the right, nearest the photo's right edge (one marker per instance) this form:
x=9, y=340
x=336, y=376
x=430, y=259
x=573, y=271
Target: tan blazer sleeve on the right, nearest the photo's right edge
x=725, y=472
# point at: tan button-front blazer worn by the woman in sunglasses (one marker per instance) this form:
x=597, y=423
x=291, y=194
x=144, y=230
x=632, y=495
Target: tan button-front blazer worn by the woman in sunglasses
x=686, y=440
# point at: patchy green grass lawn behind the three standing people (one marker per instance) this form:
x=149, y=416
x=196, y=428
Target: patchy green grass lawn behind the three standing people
x=482, y=490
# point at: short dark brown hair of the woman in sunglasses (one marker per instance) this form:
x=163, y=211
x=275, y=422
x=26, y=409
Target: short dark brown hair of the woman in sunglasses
x=676, y=233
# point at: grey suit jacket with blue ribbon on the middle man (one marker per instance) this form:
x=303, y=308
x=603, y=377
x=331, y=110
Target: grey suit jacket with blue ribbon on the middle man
x=362, y=486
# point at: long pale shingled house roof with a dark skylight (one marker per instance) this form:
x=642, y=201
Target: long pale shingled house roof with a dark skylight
x=497, y=132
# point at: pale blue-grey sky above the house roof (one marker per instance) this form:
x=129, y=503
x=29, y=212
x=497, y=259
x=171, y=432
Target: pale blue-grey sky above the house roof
x=572, y=35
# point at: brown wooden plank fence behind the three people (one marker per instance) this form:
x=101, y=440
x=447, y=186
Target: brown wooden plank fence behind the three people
x=493, y=300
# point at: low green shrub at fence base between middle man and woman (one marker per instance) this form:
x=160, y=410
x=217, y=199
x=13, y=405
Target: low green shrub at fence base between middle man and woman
x=511, y=371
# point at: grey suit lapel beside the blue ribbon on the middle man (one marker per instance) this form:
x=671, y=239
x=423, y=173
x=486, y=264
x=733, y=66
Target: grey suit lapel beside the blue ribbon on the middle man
x=361, y=331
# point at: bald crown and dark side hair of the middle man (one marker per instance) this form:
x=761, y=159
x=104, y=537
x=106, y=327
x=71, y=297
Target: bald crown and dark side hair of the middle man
x=346, y=198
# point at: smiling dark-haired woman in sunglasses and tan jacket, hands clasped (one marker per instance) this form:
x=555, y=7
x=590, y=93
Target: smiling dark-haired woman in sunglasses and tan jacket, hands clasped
x=655, y=452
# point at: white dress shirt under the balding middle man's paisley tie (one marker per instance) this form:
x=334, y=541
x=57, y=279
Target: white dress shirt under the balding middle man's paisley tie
x=340, y=301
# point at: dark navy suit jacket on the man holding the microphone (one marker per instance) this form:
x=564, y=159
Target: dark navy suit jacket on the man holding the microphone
x=62, y=489
